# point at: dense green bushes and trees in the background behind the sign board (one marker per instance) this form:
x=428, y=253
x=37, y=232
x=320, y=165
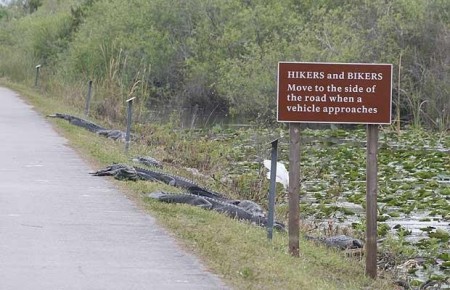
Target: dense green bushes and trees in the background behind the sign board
x=221, y=56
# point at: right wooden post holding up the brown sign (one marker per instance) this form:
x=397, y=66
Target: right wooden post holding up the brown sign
x=371, y=201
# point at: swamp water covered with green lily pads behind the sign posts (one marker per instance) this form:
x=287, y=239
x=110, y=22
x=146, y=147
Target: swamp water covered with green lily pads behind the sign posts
x=413, y=193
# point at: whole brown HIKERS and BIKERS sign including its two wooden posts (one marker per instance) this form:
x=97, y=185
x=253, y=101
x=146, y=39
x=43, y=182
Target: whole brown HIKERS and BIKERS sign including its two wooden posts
x=345, y=93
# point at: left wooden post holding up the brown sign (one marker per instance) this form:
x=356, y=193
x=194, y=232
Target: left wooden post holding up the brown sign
x=294, y=188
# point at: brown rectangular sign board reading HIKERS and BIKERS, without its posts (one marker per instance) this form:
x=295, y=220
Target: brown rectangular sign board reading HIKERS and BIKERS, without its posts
x=334, y=93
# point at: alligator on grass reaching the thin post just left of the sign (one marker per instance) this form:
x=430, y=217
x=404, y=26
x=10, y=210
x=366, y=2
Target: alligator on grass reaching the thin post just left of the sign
x=227, y=207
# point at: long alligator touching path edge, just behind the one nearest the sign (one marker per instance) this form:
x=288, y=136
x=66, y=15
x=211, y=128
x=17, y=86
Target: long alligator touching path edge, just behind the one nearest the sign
x=157, y=175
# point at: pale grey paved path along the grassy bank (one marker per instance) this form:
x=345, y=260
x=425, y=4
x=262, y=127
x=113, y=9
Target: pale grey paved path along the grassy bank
x=61, y=228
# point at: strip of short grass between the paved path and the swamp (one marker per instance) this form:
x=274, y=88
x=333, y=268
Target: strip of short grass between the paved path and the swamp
x=238, y=252
